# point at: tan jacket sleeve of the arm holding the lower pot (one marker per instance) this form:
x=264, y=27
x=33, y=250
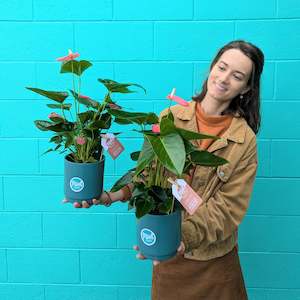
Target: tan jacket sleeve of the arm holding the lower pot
x=220, y=216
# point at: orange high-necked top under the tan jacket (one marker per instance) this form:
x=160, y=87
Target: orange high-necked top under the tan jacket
x=211, y=124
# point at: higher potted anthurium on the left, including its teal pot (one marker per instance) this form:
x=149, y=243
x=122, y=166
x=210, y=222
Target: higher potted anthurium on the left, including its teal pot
x=78, y=132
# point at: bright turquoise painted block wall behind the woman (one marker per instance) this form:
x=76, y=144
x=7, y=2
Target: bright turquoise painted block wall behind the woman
x=50, y=251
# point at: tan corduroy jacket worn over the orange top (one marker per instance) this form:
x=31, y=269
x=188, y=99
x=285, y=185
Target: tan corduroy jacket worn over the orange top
x=212, y=231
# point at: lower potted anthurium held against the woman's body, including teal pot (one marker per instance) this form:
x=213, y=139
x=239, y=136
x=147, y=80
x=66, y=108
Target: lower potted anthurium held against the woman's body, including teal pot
x=168, y=151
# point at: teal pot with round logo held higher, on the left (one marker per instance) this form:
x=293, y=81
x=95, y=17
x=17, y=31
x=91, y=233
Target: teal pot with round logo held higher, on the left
x=83, y=181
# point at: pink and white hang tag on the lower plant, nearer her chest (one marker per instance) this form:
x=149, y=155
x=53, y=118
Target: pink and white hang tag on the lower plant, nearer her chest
x=183, y=192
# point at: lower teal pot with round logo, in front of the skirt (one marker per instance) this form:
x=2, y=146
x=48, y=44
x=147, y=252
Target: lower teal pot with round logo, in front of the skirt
x=159, y=236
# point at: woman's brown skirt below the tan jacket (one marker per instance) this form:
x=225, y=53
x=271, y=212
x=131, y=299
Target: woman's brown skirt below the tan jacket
x=185, y=279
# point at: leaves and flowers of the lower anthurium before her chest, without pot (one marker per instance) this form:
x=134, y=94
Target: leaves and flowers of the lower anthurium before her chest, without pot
x=168, y=151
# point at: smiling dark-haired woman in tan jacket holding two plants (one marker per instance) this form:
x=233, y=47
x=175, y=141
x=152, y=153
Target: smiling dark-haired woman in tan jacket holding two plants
x=207, y=265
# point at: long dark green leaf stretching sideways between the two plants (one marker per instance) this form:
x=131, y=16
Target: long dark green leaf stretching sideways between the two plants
x=139, y=118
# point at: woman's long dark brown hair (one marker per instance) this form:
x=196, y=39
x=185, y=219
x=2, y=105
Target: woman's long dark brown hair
x=249, y=106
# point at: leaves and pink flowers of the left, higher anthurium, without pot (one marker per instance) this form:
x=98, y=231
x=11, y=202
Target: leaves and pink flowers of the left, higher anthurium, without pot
x=80, y=122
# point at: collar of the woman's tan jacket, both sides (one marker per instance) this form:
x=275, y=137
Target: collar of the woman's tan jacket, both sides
x=236, y=131
